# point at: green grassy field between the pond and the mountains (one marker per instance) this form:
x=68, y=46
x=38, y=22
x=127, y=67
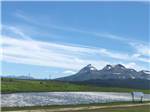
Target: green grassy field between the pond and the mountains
x=14, y=85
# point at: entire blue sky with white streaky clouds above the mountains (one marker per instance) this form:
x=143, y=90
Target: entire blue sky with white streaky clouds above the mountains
x=59, y=38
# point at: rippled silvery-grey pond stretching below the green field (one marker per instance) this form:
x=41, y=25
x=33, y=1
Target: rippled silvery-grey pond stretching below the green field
x=63, y=98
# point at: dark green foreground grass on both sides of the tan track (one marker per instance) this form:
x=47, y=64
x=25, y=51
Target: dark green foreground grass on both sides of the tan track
x=114, y=109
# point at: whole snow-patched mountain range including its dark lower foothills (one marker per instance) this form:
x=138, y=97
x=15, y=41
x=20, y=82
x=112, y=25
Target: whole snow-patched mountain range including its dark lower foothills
x=110, y=76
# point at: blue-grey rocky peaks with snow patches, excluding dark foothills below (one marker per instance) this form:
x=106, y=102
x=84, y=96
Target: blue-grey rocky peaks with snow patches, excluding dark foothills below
x=118, y=71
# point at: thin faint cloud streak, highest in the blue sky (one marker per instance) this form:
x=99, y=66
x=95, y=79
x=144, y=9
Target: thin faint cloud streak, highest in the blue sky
x=106, y=35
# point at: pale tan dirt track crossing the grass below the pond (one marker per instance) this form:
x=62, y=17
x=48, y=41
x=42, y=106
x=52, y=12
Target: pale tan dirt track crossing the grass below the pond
x=70, y=109
